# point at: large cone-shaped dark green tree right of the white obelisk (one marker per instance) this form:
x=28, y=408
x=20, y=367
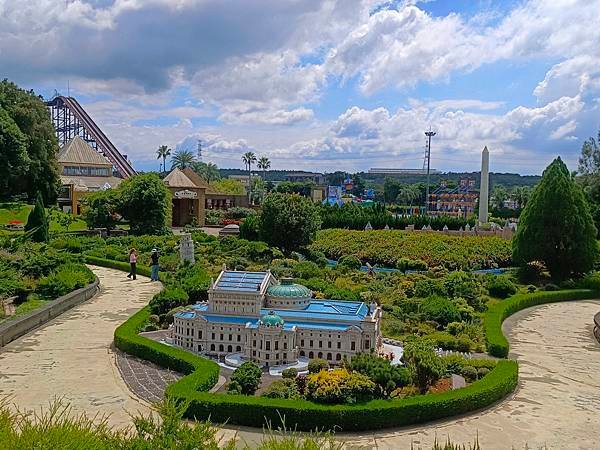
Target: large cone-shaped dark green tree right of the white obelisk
x=556, y=226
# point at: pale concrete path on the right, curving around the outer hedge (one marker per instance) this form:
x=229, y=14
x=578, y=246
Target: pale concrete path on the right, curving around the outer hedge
x=556, y=405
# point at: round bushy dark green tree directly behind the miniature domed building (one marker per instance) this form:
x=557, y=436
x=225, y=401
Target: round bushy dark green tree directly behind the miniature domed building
x=289, y=221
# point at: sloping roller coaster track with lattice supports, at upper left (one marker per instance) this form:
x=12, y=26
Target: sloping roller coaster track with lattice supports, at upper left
x=70, y=120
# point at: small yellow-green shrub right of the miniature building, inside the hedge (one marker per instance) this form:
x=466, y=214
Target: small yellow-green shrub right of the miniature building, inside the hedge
x=425, y=366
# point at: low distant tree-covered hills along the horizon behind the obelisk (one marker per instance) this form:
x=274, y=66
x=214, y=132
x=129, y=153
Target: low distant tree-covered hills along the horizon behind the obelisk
x=505, y=179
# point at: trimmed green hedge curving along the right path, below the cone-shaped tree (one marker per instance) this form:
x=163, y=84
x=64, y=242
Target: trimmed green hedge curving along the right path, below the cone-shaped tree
x=497, y=344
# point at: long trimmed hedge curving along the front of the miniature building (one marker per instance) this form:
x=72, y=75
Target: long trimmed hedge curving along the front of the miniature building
x=306, y=415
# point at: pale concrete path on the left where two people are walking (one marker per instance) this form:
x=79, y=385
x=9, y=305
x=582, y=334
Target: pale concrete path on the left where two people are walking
x=71, y=356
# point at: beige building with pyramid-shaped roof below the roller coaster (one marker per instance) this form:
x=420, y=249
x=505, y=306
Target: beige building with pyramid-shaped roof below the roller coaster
x=82, y=170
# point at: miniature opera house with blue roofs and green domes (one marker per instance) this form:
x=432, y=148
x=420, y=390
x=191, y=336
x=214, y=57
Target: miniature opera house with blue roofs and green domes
x=275, y=322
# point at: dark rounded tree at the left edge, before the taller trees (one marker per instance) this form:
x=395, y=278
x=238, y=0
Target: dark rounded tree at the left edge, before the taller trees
x=13, y=153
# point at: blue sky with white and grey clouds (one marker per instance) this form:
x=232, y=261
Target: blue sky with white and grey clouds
x=320, y=85
